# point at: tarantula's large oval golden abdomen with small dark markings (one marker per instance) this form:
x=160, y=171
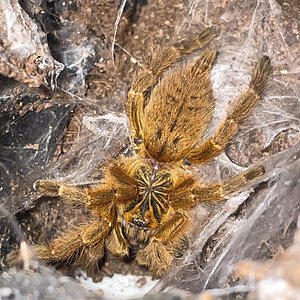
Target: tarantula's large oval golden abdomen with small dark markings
x=187, y=110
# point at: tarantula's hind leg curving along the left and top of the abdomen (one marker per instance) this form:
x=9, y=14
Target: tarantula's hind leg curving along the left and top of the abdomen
x=146, y=79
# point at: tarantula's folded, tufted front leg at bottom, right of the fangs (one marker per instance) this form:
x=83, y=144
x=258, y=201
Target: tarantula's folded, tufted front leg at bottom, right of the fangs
x=158, y=255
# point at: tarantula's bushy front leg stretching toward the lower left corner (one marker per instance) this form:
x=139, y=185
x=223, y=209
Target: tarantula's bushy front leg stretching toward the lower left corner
x=83, y=245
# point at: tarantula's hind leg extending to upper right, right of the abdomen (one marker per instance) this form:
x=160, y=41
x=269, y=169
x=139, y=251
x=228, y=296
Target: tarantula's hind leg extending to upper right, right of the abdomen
x=229, y=127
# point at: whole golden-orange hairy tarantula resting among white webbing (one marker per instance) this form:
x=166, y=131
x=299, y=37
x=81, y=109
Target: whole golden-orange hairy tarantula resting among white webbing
x=144, y=201
